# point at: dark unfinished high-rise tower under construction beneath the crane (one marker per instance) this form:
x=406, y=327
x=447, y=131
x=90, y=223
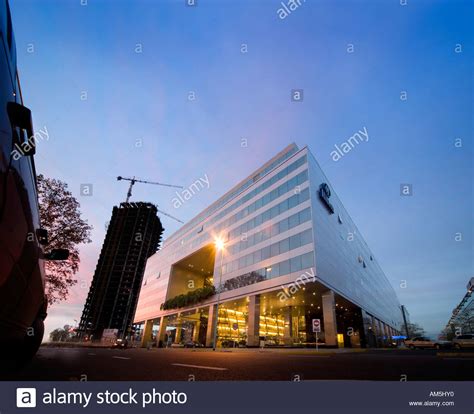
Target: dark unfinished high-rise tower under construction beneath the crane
x=133, y=235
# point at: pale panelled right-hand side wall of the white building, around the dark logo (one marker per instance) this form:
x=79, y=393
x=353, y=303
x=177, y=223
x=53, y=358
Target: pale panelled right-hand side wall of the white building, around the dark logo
x=344, y=260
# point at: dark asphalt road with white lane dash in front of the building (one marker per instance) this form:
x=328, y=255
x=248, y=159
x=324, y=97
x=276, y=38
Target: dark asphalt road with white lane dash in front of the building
x=99, y=364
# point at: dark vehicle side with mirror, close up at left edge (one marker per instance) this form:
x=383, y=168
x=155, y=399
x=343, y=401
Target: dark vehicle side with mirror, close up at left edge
x=22, y=300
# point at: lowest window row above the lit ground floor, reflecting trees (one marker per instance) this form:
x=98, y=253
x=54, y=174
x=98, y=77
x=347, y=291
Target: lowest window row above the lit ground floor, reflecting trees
x=295, y=264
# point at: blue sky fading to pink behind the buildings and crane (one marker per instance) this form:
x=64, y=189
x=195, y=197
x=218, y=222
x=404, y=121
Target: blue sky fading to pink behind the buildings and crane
x=171, y=93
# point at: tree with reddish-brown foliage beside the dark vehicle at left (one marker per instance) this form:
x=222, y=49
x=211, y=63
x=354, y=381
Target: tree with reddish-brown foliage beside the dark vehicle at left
x=60, y=215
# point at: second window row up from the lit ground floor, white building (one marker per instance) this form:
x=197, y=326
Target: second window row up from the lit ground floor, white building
x=272, y=250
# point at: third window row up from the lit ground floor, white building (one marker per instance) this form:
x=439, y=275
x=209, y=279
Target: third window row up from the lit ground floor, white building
x=271, y=231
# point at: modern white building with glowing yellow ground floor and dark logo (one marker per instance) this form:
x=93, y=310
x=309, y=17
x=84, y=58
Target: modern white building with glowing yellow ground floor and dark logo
x=287, y=253
